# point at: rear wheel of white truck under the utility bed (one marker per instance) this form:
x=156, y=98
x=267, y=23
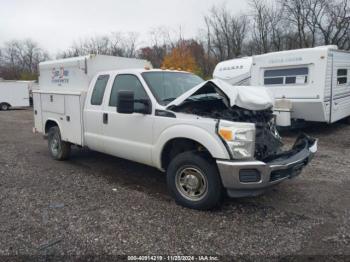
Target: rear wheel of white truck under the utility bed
x=59, y=149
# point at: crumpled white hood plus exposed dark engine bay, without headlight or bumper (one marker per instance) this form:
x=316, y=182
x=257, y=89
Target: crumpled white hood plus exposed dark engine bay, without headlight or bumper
x=212, y=101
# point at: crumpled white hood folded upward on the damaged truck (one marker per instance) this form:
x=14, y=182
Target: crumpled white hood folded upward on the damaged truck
x=248, y=97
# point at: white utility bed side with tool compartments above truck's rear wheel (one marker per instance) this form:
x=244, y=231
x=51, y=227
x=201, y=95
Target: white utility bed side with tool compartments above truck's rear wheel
x=64, y=108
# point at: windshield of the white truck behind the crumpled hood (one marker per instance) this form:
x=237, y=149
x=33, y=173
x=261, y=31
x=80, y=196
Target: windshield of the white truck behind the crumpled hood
x=167, y=86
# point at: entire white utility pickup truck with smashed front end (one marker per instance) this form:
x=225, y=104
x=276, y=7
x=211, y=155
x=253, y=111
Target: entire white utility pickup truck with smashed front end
x=209, y=137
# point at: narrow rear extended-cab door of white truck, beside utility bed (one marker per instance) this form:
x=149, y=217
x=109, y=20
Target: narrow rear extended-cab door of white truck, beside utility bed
x=94, y=115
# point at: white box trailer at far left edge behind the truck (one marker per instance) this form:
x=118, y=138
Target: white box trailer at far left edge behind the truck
x=14, y=94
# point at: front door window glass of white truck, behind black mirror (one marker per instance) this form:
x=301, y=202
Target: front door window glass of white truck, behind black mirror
x=127, y=83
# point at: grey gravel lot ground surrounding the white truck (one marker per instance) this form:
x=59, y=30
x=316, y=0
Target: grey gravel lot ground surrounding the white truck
x=97, y=204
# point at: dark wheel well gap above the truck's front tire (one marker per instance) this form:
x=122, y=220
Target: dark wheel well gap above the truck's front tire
x=180, y=145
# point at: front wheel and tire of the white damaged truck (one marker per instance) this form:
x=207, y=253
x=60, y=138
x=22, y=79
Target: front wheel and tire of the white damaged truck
x=193, y=180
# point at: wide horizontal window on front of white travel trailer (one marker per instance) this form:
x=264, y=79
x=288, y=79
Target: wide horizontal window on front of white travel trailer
x=290, y=76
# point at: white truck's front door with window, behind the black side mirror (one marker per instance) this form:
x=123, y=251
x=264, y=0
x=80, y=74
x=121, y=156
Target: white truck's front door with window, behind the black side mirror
x=128, y=136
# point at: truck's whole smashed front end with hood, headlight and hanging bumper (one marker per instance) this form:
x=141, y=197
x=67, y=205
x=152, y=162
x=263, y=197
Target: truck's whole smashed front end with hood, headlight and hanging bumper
x=259, y=160
